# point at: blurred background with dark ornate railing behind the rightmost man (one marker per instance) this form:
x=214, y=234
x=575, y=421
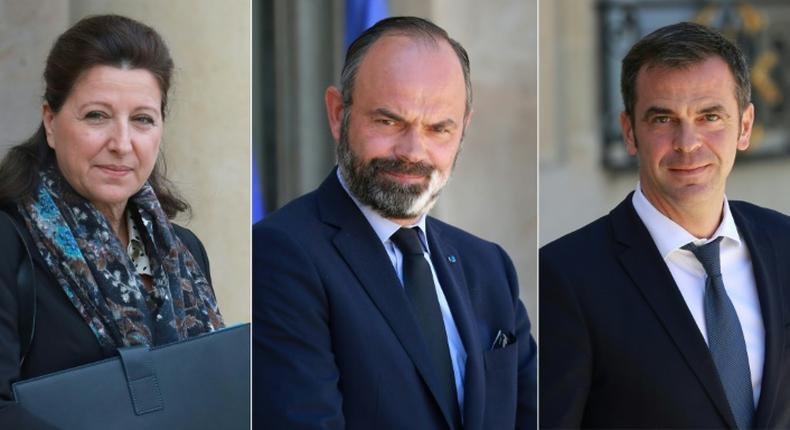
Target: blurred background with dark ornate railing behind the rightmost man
x=584, y=169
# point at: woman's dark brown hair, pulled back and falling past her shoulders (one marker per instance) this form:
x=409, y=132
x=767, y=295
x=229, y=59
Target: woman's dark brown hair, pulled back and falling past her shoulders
x=105, y=40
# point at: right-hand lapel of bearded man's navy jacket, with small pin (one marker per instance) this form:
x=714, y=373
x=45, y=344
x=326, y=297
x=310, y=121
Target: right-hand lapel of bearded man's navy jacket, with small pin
x=449, y=269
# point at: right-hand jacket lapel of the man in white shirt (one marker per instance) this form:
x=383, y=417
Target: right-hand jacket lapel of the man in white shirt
x=764, y=264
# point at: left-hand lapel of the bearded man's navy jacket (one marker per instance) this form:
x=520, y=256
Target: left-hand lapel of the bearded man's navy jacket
x=362, y=250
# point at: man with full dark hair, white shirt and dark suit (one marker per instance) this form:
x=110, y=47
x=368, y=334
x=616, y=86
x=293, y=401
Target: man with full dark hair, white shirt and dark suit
x=672, y=311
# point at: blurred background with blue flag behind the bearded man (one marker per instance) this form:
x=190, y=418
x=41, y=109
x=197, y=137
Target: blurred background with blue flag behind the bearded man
x=298, y=50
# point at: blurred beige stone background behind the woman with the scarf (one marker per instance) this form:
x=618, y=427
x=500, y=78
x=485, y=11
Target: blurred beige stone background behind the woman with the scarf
x=207, y=133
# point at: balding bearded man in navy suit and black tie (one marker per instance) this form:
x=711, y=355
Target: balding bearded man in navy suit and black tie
x=368, y=314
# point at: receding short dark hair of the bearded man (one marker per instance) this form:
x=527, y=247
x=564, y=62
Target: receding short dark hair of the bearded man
x=401, y=25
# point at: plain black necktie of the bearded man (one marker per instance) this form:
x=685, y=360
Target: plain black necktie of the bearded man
x=421, y=291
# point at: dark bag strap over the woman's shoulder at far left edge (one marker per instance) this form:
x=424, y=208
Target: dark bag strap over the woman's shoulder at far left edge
x=26, y=293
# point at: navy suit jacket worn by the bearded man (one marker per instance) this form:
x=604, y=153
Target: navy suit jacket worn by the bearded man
x=335, y=345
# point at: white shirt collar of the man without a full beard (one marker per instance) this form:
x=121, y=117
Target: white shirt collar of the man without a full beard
x=670, y=236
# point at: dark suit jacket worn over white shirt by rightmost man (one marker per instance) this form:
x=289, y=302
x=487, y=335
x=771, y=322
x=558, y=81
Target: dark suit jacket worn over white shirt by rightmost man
x=619, y=347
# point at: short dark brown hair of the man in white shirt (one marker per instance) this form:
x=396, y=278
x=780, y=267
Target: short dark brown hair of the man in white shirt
x=682, y=45
